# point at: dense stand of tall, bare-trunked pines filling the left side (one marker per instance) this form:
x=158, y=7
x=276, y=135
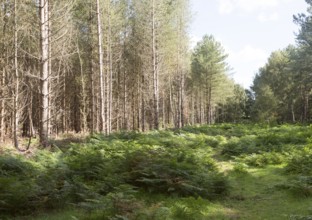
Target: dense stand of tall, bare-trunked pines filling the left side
x=107, y=65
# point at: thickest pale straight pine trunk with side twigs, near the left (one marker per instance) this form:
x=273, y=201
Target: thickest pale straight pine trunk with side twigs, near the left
x=44, y=75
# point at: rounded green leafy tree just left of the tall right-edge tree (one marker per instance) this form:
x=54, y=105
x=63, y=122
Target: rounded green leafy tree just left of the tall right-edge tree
x=273, y=81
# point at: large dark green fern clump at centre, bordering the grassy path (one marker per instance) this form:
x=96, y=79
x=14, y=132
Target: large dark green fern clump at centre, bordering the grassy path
x=160, y=171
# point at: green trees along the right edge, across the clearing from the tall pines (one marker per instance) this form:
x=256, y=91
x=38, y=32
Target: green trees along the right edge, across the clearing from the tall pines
x=282, y=89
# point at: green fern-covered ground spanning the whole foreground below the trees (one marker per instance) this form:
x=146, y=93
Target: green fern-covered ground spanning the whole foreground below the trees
x=209, y=172
